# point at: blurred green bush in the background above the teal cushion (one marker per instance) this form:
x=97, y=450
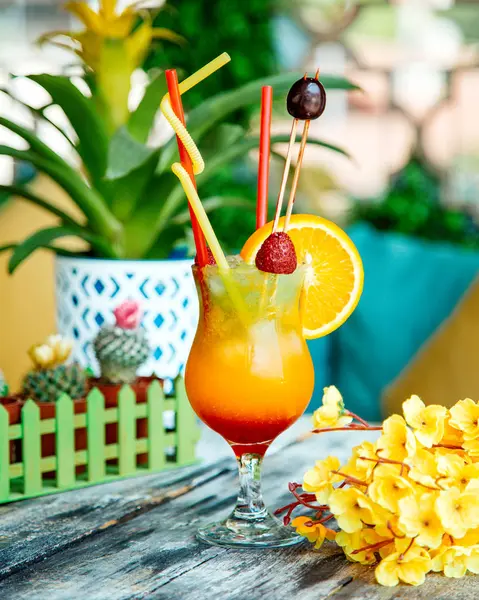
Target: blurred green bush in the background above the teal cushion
x=412, y=206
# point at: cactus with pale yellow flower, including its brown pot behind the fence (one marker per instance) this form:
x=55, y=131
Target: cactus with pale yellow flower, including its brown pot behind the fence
x=51, y=377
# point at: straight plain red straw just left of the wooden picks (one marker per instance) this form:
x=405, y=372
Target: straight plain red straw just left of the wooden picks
x=264, y=151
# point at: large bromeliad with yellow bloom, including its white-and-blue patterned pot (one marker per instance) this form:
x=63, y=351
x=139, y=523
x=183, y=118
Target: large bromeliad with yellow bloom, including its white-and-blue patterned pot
x=134, y=209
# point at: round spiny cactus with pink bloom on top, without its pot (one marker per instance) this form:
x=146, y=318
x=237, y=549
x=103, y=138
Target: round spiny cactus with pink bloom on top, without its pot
x=121, y=348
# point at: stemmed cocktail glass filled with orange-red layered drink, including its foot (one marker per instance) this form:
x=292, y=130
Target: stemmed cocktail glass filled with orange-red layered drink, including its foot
x=249, y=376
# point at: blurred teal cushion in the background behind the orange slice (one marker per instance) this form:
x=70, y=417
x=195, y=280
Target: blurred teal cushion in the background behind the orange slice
x=410, y=287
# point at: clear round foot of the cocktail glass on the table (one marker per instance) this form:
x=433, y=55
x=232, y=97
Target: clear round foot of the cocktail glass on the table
x=260, y=532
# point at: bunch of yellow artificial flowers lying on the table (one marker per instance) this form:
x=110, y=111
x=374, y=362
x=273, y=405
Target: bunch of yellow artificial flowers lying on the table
x=408, y=503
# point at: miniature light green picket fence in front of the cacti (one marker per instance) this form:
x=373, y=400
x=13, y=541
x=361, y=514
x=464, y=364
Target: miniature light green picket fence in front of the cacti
x=24, y=473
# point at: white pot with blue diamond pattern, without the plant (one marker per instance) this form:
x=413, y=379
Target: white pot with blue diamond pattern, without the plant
x=88, y=290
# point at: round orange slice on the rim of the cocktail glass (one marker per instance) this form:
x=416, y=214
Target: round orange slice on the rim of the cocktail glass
x=335, y=278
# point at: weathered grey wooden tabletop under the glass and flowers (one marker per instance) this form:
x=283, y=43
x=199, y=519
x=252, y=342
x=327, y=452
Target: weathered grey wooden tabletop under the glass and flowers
x=135, y=539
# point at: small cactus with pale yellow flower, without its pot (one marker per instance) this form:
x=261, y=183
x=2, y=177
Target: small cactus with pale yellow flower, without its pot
x=50, y=376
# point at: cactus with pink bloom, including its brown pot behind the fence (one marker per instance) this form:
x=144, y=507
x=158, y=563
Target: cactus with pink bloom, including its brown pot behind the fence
x=121, y=349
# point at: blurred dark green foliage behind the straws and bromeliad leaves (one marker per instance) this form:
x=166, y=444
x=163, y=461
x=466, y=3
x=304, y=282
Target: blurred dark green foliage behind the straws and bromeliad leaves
x=243, y=28
